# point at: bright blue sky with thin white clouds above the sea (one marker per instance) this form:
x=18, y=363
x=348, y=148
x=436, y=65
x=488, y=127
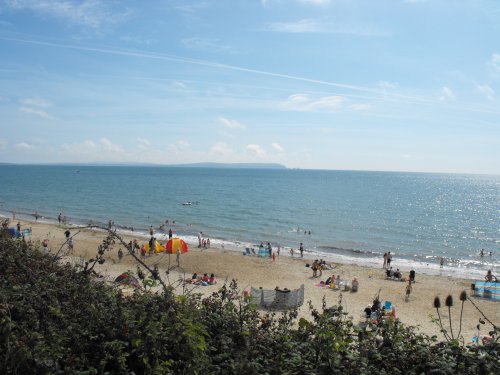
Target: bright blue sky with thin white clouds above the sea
x=366, y=85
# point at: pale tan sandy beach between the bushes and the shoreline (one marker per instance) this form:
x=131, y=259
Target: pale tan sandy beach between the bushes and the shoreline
x=288, y=272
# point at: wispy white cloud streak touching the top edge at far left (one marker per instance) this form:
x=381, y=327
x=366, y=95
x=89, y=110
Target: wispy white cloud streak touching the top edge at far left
x=87, y=13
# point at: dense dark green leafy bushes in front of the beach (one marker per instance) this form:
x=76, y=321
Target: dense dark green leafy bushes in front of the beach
x=58, y=319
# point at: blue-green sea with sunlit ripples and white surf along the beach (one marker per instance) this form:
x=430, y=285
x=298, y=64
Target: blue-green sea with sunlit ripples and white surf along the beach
x=352, y=216
